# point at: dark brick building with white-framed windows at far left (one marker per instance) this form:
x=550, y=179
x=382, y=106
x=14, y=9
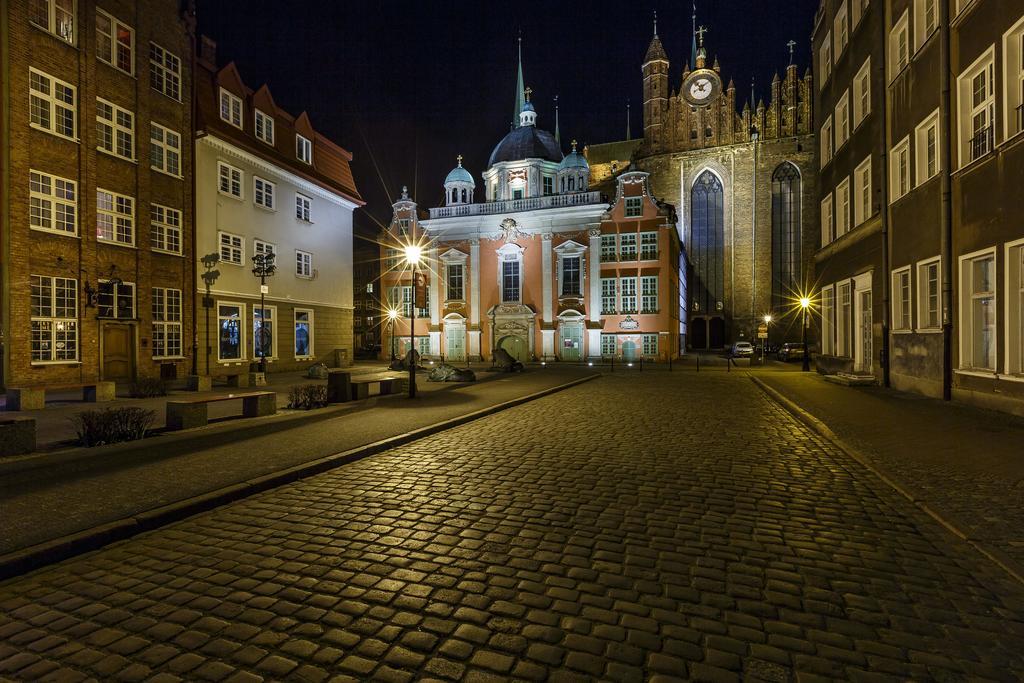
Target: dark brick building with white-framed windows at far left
x=97, y=193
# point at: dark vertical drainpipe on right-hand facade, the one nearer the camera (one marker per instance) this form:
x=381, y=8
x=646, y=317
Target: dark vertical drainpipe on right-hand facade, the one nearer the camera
x=946, y=212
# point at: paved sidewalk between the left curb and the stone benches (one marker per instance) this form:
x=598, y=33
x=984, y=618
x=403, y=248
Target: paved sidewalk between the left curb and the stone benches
x=49, y=503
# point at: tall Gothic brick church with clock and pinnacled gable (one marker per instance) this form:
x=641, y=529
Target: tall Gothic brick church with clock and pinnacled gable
x=744, y=183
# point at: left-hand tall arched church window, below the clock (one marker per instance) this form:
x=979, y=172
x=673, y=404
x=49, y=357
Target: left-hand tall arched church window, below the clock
x=707, y=245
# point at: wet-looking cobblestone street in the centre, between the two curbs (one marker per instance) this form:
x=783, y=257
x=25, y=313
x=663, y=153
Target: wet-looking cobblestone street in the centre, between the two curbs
x=695, y=531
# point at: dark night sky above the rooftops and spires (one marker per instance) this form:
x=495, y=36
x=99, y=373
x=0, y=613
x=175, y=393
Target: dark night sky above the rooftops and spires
x=407, y=87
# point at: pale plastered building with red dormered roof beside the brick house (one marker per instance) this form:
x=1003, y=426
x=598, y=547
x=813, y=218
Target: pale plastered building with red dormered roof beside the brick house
x=268, y=183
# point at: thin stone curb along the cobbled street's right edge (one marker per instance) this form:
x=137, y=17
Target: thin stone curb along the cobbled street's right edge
x=948, y=522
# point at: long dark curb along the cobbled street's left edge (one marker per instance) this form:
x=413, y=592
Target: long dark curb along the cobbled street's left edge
x=50, y=552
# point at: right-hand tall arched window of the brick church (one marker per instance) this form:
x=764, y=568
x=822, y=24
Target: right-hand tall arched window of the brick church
x=786, y=236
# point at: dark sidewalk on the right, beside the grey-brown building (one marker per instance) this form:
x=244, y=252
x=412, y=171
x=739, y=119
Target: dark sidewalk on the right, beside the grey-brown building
x=964, y=463
